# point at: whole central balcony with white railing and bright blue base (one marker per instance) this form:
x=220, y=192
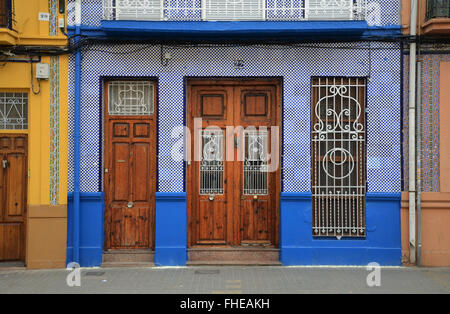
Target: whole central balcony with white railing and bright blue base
x=218, y=21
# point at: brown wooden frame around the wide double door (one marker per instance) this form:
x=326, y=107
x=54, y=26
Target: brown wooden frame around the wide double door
x=233, y=81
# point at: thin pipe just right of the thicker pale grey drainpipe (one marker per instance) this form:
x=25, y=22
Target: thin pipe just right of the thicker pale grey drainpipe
x=419, y=161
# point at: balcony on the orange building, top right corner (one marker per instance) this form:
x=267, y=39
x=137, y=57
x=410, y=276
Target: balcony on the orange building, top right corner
x=437, y=18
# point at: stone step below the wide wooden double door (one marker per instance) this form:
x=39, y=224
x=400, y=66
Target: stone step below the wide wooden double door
x=237, y=256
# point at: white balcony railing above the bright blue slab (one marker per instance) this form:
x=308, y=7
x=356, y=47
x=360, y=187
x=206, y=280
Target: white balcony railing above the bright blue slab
x=234, y=10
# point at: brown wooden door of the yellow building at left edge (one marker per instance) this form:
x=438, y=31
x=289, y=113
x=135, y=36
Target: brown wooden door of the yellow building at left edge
x=13, y=196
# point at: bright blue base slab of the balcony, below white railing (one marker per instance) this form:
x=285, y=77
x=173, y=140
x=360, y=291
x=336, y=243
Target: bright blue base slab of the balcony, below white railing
x=236, y=30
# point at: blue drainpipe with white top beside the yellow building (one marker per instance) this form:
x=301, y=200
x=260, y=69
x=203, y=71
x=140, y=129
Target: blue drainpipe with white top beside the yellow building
x=76, y=155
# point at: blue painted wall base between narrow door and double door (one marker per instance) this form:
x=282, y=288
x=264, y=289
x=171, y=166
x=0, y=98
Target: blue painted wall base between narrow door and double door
x=171, y=229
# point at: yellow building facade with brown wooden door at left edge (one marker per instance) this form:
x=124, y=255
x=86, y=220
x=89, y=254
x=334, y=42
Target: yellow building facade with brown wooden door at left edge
x=33, y=133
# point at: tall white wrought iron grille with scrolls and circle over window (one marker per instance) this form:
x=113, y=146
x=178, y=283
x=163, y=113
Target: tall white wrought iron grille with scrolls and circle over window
x=338, y=157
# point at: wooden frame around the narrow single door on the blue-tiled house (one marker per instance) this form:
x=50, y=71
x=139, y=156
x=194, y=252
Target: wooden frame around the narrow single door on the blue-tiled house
x=154, y=145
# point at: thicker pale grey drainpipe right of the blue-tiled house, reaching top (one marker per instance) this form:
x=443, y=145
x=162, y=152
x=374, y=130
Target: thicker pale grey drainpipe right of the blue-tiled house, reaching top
x=412, y=134
